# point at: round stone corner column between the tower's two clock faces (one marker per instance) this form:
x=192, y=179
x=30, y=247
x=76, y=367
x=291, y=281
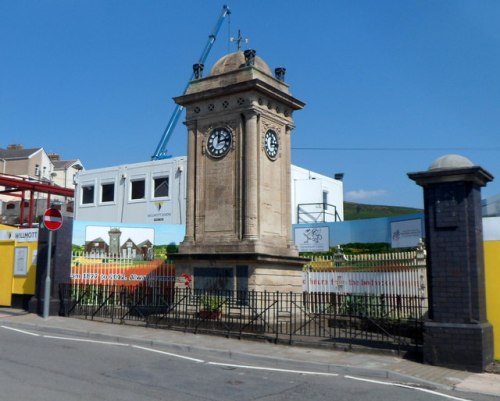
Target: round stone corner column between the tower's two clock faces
x=250, y=157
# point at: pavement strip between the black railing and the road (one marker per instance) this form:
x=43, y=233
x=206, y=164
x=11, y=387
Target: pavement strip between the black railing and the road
x=366, y=364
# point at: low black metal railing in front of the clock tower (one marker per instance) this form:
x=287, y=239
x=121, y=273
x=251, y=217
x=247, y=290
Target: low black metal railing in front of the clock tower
x=340, y=320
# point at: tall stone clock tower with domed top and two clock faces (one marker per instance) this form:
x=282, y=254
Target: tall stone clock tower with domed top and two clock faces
x=238, y=214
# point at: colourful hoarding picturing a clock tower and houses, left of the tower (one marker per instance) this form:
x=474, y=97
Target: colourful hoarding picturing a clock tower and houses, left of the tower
x=111, y=254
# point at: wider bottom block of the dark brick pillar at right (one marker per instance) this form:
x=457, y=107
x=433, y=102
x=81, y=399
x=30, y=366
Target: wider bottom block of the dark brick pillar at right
x=458, y=346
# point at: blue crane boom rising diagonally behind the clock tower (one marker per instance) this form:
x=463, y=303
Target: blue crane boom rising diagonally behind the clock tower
x=161, y=149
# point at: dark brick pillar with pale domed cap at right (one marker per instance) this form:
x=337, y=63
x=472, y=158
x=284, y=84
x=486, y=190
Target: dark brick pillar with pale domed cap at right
x=456, y=334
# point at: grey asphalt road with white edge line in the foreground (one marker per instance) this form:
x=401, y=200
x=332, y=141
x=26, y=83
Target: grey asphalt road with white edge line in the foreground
x=37, y=367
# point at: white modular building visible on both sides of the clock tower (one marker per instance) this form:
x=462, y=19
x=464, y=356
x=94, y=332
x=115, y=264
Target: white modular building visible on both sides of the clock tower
x=154, y=192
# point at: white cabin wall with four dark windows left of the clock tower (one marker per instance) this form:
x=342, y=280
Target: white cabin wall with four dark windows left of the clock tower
x=152, y=192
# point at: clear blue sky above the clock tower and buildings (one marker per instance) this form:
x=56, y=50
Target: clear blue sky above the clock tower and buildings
x=389, y=85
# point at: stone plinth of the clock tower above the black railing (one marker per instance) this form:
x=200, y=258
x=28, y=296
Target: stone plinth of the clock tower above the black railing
x=241, y=272
